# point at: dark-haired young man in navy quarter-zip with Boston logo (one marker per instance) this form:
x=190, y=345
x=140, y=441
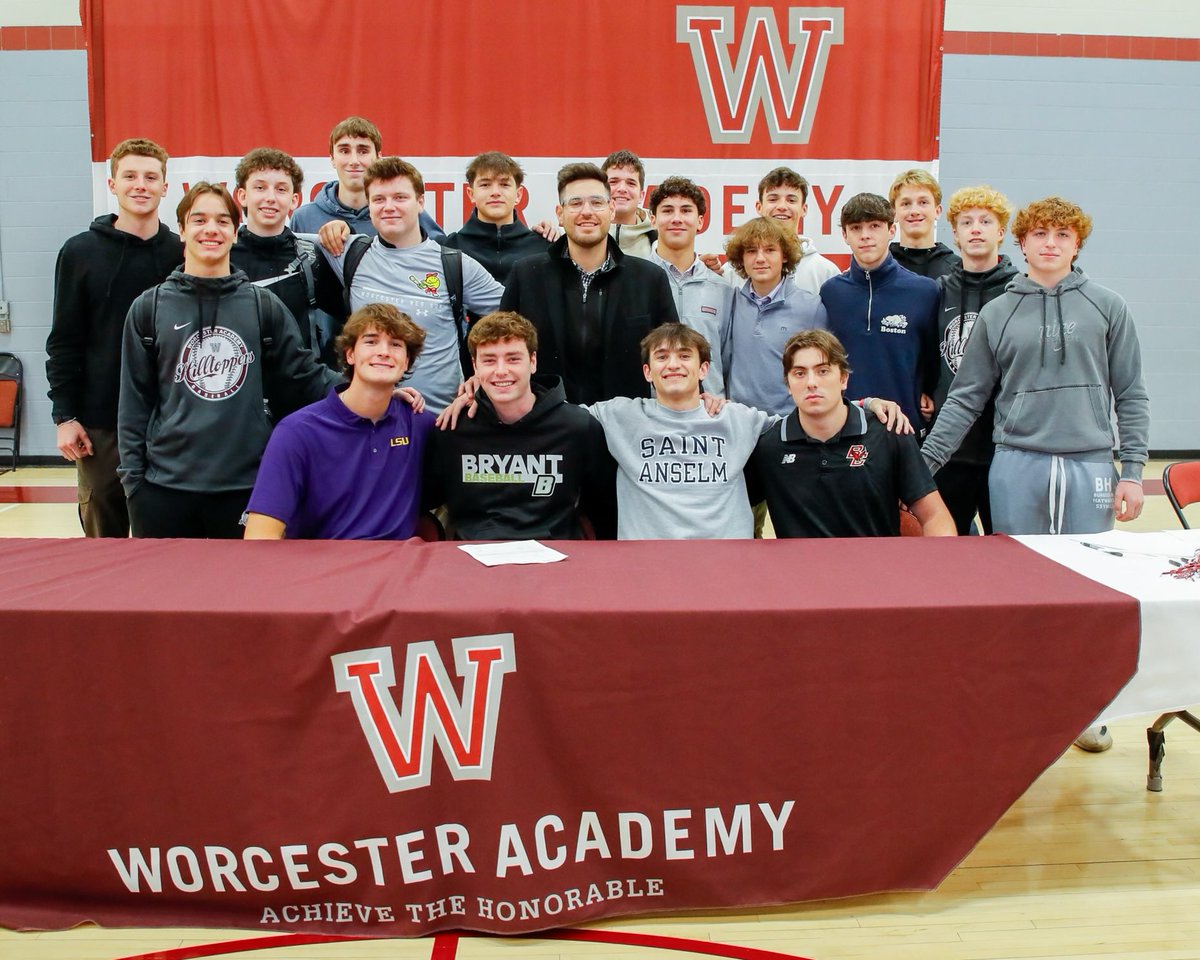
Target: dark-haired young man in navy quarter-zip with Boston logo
x=884, y=315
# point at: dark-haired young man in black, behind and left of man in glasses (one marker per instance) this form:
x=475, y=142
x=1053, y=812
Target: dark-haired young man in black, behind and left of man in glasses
x=494, y=236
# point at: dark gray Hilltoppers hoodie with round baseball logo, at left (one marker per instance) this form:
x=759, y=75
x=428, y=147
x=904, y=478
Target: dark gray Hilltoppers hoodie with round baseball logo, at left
x=201, y=355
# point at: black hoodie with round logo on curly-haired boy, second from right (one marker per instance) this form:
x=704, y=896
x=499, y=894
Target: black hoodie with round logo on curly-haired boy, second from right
x=964, y=295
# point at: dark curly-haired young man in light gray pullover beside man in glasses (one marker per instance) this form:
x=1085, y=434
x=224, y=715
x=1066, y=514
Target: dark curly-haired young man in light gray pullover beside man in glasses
x=703, y=299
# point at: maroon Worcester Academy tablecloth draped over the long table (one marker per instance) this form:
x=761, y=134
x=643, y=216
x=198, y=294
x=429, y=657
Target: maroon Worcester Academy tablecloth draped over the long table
x=206, y=734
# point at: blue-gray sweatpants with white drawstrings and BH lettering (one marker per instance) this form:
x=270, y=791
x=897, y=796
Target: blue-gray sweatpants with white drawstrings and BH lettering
x=1035, y=494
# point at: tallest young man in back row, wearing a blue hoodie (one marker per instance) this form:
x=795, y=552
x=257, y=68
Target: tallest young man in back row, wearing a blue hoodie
x=355, y=145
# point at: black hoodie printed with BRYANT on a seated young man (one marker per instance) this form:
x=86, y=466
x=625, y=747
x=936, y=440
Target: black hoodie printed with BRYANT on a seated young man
x=501, y=483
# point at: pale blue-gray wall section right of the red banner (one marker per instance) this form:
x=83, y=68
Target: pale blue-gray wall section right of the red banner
x=1123, y=140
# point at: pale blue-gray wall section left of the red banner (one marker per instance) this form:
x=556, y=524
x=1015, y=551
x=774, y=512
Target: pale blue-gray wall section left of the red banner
x=45, y=199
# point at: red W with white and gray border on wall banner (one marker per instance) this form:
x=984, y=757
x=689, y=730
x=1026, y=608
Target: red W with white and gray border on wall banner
x=763, y=77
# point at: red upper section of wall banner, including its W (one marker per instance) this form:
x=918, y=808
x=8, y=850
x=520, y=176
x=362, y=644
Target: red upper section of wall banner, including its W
x=536, y=79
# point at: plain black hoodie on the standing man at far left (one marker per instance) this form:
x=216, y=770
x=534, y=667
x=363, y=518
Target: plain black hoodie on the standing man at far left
x=99, y=274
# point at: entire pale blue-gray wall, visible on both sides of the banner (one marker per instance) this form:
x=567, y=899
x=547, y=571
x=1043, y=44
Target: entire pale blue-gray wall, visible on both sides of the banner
x=1120, y=137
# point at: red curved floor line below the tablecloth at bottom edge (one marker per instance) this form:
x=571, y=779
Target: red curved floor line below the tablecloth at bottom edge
x=446, y=946
